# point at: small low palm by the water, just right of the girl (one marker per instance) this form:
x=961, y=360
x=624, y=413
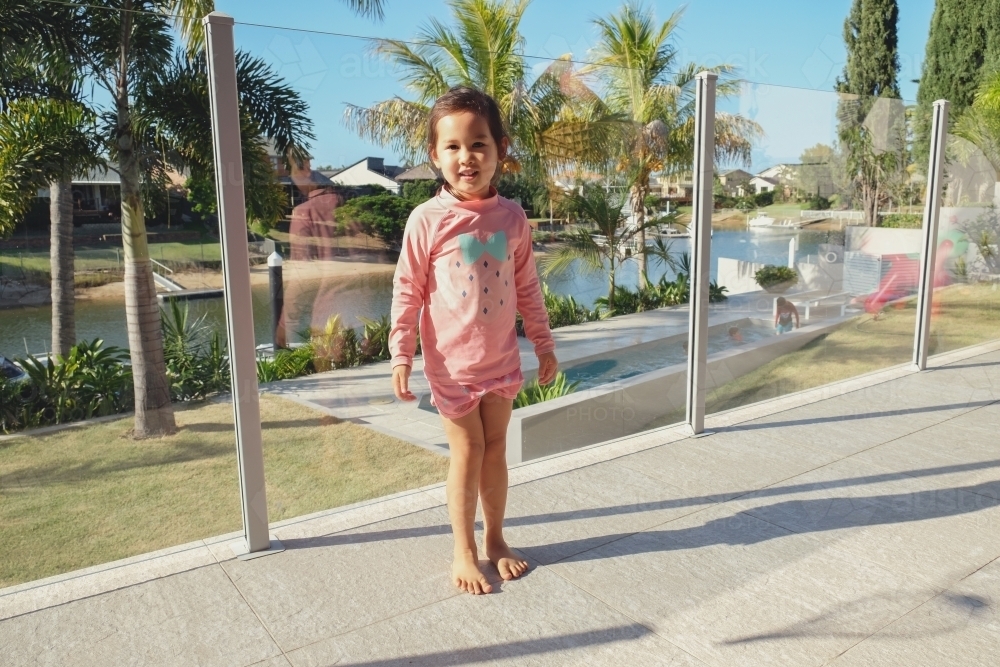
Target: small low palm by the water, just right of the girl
x=613, y=245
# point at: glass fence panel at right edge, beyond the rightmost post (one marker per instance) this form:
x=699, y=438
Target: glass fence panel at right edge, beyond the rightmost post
x=966, y=308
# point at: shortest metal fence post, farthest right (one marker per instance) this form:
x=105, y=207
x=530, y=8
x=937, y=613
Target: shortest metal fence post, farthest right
x=932, y=214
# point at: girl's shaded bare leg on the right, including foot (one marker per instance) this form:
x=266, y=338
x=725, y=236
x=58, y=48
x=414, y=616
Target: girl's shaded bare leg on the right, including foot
x=494, y=413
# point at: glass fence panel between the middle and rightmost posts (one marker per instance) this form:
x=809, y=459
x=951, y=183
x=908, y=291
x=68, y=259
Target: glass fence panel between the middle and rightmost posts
x=816, y=239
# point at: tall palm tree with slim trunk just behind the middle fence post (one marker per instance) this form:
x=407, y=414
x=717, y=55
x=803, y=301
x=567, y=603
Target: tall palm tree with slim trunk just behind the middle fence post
x=637, y=64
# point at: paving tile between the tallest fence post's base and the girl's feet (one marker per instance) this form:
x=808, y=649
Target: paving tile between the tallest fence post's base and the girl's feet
x=333, y=584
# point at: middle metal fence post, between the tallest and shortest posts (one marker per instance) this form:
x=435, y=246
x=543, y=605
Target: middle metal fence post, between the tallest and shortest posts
x=701, y=247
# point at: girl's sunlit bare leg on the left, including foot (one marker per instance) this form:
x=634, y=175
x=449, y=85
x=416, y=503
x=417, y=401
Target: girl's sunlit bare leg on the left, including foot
x=466, y=442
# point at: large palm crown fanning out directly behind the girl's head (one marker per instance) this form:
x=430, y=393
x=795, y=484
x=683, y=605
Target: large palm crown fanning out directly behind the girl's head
x=555, y=120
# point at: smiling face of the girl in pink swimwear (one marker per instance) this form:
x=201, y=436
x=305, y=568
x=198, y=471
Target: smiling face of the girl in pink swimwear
x=466, y=154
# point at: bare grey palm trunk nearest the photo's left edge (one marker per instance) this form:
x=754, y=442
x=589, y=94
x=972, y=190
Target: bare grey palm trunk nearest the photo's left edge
x=61, y=266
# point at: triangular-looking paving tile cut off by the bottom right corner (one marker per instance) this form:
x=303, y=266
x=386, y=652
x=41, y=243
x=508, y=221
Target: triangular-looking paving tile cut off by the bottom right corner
x=959, y=627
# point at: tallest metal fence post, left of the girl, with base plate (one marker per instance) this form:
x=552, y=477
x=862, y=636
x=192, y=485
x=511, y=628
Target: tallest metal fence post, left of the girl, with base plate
x=236, y=267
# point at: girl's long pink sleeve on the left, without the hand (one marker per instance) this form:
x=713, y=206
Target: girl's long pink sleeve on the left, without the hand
x=409, y=289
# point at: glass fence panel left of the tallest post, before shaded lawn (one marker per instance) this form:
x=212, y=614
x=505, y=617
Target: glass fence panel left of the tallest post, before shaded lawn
x=82, y=496
